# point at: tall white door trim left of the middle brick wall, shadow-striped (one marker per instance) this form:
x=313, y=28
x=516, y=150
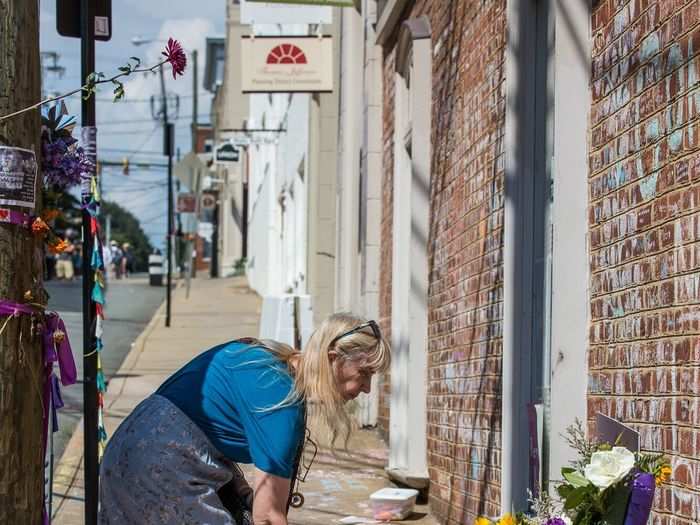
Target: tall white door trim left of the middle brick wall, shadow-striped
x=408, y=460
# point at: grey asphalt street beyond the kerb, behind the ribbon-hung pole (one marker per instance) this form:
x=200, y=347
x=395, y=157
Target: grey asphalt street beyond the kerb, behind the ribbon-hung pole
x=130, y=305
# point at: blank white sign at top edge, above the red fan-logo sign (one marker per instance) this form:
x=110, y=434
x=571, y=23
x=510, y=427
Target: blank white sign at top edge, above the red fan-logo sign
x=253, y=12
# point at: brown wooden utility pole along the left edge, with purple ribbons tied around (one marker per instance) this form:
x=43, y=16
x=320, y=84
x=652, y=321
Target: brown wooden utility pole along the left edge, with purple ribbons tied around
x=21, y=270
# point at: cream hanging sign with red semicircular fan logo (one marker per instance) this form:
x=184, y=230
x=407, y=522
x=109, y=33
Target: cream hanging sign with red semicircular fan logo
x=294, y=64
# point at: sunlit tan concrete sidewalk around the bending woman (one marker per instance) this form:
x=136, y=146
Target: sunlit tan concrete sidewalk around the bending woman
x=216, y=311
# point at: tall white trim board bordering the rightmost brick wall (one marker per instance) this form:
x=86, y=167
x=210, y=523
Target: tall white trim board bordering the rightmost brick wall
x=571, y=272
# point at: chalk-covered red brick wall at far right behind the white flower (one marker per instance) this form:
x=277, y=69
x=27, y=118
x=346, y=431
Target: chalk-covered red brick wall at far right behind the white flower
x=644, y=231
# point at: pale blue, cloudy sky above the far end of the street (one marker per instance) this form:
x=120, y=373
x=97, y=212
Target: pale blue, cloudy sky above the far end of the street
x=127, y=129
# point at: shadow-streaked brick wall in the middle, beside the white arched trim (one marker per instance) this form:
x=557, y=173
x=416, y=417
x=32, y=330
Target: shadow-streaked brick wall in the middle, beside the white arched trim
x=465, y=250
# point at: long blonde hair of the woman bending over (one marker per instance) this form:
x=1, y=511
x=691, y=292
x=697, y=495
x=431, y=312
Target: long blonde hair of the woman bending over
x=314, y=379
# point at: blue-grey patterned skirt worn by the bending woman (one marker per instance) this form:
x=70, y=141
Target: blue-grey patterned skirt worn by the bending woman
x=160, y=468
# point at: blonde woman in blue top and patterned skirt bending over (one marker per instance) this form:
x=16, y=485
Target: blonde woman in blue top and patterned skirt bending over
x=175, y=458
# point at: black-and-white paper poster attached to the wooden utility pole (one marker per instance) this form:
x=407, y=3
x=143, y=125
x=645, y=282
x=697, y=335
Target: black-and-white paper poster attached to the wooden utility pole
x=18, y=171
